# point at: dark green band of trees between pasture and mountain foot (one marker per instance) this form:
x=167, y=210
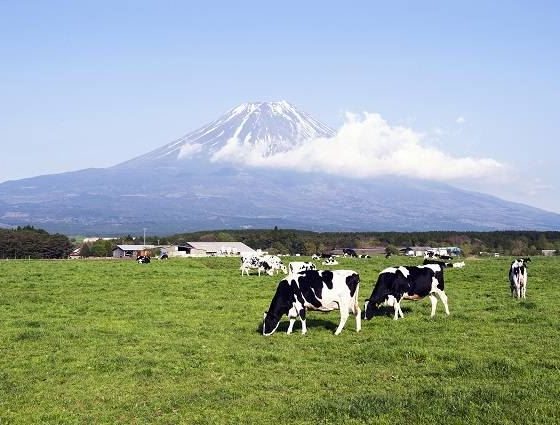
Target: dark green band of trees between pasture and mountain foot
x=29, y=242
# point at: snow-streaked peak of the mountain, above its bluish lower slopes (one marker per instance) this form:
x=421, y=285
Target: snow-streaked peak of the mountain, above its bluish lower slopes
x=259, y=128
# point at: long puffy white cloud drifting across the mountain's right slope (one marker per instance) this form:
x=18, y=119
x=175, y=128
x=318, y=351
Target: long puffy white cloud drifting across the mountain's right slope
x=367, y=146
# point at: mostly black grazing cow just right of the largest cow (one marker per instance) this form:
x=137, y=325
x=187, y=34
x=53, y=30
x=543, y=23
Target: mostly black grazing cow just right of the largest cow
x=409, y=283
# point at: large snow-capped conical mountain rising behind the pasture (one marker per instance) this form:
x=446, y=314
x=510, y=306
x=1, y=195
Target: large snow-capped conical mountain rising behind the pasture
x=200, y=181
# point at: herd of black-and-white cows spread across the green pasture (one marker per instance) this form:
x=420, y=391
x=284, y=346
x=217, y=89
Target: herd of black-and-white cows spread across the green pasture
x=306, y=288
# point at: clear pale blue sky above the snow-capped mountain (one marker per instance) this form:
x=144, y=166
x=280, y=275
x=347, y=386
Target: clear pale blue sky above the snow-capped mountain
x=90, y=84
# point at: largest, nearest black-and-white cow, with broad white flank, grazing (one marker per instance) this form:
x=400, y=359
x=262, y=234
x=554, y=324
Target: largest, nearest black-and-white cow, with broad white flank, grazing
x=322, y=290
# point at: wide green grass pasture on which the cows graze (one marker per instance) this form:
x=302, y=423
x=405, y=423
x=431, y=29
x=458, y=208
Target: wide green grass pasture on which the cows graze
x=179, y=341
